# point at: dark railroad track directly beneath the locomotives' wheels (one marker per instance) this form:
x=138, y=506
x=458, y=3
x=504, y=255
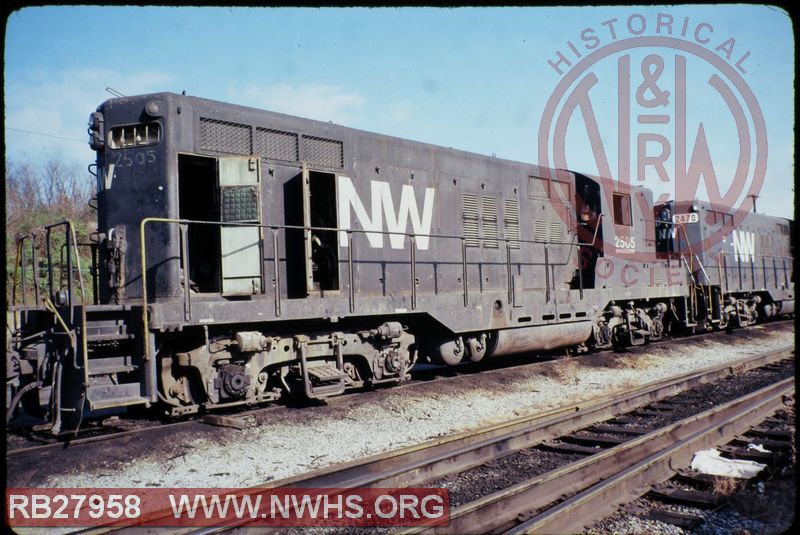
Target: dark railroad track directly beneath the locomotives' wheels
x=92, y=435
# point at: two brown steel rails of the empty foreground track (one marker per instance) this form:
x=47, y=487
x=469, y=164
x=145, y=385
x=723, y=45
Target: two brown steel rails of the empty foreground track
x=569, y=497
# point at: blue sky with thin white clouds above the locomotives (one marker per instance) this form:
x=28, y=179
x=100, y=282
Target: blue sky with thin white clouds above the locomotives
x=474, y=79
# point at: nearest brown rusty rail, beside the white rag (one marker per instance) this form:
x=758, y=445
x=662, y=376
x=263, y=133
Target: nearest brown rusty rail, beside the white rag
x=599, y=483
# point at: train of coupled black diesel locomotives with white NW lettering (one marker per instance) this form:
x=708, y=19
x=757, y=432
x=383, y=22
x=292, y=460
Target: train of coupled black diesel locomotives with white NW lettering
x=243, y=254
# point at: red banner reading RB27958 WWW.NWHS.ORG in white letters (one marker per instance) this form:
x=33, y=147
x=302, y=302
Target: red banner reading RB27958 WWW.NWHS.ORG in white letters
x=207, y=507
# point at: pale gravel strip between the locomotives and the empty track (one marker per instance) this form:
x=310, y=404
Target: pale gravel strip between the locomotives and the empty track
x=287, y=441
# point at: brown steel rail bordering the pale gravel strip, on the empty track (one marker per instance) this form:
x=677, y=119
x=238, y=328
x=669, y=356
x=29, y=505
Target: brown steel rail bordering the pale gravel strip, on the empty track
x=420, y=464
